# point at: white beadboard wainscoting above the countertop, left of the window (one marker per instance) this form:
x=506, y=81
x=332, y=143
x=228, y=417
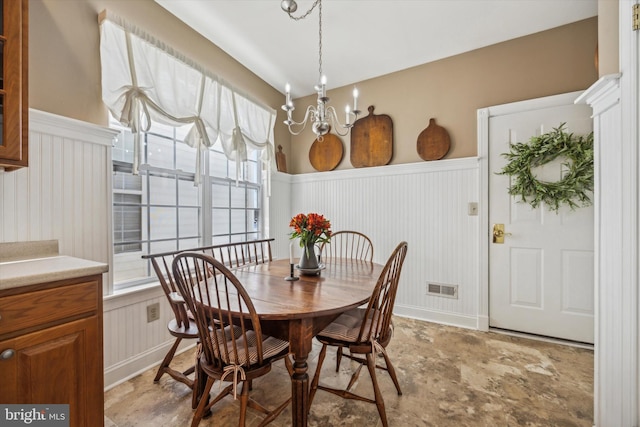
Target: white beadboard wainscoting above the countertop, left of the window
x=65, y=193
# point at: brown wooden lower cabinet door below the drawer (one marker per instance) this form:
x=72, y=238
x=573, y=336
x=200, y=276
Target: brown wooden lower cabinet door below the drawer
x=58, y=365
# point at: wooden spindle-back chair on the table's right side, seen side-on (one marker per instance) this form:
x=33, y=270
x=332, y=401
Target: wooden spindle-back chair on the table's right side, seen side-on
x=366, y=332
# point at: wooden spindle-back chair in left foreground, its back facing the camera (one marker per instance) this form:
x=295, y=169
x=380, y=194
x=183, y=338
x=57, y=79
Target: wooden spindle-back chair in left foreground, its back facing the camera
x=233, y=348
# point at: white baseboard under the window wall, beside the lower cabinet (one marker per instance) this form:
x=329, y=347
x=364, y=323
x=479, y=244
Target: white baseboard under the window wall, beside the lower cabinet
x=129, y=368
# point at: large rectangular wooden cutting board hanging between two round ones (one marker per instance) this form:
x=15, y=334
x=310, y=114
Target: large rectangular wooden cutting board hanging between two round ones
x=372, y=140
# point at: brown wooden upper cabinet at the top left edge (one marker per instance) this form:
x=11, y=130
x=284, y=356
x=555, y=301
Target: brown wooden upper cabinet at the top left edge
x=14, y=73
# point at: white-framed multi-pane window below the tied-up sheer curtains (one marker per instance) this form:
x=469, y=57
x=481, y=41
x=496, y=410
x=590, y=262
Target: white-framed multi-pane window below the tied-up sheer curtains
x=161, y=210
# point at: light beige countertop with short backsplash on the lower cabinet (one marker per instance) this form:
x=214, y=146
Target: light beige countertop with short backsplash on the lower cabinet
x=29, y=263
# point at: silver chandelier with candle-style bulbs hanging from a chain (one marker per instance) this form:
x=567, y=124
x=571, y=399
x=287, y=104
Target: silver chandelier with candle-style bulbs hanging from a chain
x=324, y=117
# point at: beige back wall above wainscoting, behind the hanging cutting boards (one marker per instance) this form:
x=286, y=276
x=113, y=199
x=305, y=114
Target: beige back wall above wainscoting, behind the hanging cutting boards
x=451, y=90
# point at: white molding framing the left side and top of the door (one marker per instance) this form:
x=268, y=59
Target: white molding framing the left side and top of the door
x=483, y=117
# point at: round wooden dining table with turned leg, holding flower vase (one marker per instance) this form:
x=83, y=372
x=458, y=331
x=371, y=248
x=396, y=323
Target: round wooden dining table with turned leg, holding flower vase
x=298, y=310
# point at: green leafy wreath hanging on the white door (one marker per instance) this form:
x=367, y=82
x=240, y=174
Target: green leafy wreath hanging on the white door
x=573, y=189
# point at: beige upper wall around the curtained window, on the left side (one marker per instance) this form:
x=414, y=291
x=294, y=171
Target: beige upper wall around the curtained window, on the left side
x=64, y=56
